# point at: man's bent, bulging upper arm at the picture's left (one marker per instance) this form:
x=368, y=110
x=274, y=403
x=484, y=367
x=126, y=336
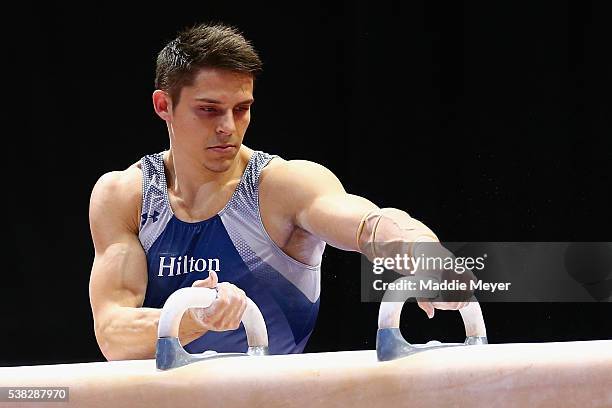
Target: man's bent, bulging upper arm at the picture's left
x=118, y=276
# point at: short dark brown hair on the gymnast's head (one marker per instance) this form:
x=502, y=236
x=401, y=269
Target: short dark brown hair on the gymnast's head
x=214, y=45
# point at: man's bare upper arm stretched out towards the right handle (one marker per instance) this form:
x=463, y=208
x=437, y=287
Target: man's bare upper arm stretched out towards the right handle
x=325, y=209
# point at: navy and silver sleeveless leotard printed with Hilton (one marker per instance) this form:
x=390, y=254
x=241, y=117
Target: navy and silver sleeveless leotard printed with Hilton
x=235, y=244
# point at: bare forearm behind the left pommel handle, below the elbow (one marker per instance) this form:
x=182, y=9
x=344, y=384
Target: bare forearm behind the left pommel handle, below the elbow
x=131, y=333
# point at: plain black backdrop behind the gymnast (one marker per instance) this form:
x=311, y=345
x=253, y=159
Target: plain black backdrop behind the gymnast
x=488, y=122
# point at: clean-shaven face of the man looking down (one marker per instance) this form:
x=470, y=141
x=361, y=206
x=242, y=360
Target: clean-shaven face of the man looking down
x=211, y=118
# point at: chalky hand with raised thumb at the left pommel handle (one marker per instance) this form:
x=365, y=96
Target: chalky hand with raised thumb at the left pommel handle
x=225, y=313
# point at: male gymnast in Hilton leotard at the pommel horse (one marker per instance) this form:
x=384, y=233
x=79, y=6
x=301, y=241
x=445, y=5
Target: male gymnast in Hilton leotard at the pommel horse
x=211, y=212
